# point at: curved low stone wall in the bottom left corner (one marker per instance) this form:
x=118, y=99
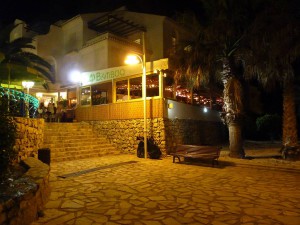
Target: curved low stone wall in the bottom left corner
x=23, y=209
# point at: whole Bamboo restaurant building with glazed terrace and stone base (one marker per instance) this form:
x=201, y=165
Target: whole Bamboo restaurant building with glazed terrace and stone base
x=88, y=53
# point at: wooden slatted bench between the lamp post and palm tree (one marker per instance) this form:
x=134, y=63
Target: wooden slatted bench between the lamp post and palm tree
x=197, y=152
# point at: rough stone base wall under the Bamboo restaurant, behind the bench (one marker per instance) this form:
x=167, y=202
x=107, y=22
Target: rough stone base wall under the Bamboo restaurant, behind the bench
x=166, y=132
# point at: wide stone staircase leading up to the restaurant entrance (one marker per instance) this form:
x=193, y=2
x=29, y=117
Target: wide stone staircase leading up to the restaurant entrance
x=71, y=141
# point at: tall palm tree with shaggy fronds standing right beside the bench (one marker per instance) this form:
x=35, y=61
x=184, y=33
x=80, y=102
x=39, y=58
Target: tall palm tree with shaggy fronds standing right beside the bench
x=214, y=56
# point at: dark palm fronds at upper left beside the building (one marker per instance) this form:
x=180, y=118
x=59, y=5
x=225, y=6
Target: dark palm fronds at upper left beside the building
x=18, y=64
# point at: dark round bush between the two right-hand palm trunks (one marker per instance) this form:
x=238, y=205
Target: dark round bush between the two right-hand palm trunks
x=269, y=126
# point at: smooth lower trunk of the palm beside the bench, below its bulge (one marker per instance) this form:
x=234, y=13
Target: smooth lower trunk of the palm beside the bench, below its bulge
x=235, y=140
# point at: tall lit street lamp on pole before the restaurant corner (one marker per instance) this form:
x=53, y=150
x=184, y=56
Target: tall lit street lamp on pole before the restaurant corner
x=136, y=59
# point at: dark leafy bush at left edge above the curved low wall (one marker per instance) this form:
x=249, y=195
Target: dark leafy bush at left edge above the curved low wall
x=8, y=138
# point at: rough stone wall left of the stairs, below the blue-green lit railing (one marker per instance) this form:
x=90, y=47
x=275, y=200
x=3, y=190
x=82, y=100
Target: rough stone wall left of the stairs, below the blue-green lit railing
x=30, y=136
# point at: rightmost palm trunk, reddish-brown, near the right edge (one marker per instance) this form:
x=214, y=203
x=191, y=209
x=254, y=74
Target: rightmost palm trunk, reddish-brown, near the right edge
x=289, y=127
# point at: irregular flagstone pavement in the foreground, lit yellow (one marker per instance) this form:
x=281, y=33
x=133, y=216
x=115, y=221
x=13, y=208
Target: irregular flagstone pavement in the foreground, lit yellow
x=124, y=189
